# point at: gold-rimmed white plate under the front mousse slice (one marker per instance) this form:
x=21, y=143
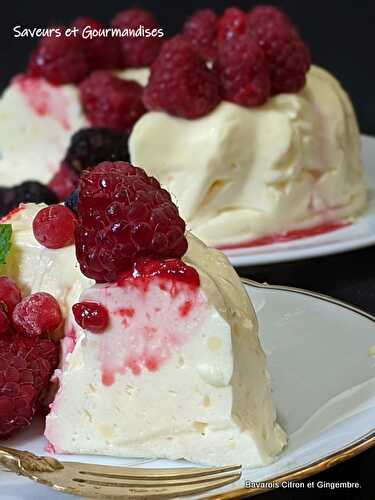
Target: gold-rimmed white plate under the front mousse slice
x=321, y=356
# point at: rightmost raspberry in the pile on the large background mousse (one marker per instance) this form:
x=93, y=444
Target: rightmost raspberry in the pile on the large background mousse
x=287, y=56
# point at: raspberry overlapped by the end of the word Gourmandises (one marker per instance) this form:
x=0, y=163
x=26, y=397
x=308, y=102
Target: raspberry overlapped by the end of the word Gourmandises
x=140, y=50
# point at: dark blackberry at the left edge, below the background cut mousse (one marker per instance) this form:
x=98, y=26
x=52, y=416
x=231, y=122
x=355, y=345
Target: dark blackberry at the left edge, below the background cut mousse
x=27, y=192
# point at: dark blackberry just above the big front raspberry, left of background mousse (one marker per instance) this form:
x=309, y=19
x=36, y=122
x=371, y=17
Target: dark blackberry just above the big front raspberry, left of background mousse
x=90, y=146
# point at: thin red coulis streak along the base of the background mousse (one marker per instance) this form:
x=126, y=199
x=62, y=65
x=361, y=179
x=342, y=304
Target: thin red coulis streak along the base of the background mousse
x=287, y=236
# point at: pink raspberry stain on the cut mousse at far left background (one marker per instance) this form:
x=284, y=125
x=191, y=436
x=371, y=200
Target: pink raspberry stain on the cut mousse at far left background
x=43, y=99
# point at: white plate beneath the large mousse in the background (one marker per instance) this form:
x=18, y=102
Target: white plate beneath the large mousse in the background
x=358, y=235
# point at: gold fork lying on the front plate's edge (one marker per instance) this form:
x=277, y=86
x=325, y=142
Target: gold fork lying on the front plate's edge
x=103, y=481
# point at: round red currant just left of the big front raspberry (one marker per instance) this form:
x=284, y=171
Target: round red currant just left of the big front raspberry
x=54, y=226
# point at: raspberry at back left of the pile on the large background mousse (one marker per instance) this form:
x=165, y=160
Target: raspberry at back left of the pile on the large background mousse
x=200, y=31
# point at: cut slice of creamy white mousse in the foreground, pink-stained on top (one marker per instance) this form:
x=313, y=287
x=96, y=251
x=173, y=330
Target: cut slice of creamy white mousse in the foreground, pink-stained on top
x=179, y=373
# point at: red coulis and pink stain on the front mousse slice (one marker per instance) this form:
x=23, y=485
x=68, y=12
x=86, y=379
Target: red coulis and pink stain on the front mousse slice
x=141, y=340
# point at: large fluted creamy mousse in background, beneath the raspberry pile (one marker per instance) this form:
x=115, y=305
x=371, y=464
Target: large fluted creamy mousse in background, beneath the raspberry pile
x=238, y=174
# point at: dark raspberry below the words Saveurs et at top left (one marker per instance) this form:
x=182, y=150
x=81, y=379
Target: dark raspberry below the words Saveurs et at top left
x=59, y=59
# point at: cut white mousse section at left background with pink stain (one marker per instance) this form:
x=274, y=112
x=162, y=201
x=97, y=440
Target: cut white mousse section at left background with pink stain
x=37, y=120
